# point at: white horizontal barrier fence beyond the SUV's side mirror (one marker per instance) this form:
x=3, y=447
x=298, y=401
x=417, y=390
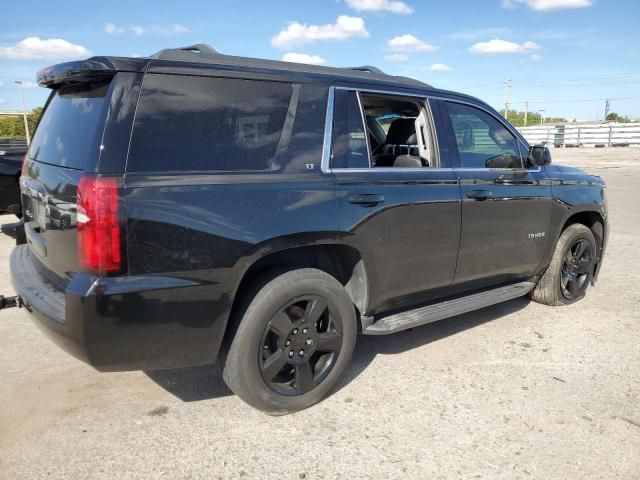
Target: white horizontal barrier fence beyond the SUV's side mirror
x=584, y=135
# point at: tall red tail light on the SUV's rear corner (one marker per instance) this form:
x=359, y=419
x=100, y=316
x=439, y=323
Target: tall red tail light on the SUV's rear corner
x=99, y=246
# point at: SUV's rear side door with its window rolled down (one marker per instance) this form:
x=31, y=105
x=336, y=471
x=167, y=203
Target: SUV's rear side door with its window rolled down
x=404, y=221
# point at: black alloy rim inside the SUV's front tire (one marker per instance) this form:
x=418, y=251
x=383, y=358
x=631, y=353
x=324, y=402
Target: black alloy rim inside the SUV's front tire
x=576, y=270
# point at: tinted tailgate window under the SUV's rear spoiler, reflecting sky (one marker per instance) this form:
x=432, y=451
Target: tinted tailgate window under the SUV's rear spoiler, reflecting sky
x=71, y=127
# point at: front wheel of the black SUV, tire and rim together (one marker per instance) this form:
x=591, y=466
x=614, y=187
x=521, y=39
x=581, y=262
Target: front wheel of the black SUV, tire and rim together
x=556, y=287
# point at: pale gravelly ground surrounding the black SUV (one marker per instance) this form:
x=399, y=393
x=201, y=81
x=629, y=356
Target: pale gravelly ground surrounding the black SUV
x=518, y=390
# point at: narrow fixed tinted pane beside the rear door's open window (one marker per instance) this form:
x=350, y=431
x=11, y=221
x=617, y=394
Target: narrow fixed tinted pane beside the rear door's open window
x=349, y=140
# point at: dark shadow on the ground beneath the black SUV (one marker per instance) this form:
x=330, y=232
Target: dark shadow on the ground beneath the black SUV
x=205, y=382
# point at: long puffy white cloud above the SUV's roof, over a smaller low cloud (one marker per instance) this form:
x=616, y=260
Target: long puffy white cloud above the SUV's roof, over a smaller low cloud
x=297, y=34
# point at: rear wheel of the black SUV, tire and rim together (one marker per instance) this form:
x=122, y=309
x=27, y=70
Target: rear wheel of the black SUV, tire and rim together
x=272, y=375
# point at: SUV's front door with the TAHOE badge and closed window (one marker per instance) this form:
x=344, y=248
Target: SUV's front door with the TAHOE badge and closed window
x=506, y=207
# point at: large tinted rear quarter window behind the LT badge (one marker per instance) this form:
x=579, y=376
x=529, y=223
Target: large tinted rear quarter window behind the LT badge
x=188, y=123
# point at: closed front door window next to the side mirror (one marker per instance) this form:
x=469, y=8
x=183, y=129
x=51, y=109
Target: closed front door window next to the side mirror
x=482, y=141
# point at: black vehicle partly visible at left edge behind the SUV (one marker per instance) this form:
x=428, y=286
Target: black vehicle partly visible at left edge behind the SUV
x=11, y=156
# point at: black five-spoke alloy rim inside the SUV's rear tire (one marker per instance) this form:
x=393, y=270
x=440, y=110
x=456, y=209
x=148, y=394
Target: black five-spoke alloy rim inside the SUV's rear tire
x=300, y=345
